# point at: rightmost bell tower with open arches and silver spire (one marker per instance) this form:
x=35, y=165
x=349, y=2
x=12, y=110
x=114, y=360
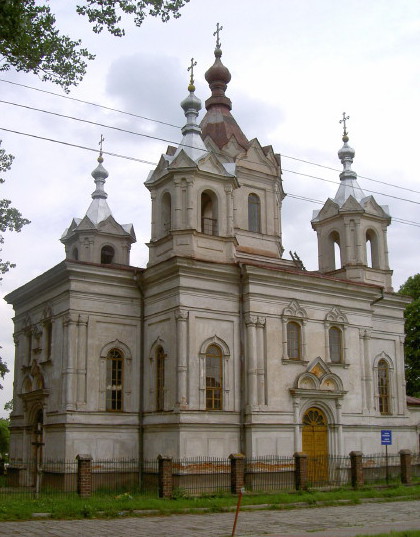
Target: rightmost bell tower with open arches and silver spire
x=352, y=229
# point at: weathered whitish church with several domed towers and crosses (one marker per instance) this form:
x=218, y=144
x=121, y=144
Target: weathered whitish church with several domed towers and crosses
x=220, y=345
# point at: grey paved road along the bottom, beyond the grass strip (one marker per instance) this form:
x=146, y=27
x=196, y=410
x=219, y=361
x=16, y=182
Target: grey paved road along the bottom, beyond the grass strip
x=342, y=521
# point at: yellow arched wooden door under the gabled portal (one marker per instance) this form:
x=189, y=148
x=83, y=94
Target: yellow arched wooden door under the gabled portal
x=315, y=444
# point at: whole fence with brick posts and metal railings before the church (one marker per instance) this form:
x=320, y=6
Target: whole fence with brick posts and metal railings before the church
x=169, y=477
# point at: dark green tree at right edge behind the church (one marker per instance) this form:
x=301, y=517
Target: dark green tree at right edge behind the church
x=412, y=339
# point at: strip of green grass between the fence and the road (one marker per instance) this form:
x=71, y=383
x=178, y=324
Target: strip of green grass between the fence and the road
x=60, y=506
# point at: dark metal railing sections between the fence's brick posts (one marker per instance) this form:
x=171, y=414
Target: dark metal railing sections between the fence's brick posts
x=198, y=476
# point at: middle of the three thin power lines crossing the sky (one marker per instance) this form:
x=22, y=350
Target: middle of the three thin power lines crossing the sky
x=119, y=129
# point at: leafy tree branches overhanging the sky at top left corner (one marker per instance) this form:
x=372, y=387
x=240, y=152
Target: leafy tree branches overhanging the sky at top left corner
x=30, y=41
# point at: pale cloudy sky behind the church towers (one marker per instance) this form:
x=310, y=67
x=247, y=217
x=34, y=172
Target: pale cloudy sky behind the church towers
x=296, y=66
